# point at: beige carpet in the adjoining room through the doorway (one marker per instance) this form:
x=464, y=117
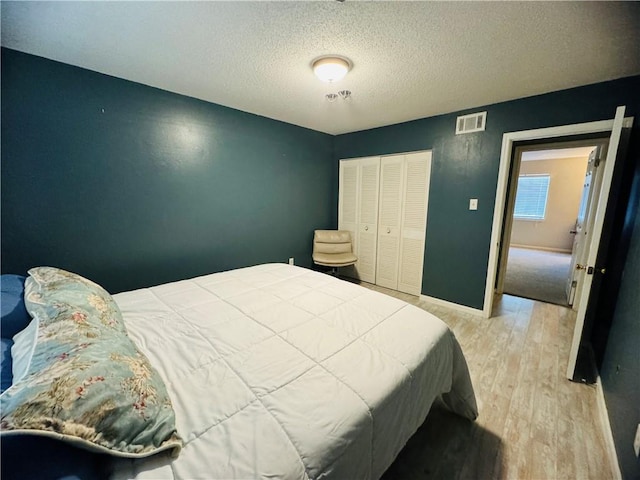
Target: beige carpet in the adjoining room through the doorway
x=537, y=274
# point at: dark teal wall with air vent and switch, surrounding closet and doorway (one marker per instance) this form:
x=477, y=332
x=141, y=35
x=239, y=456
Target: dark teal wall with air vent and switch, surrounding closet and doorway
x=466, y=166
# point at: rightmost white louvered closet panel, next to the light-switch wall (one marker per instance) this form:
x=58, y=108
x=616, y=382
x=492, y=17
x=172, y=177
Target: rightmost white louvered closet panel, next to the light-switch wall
x=417, y=171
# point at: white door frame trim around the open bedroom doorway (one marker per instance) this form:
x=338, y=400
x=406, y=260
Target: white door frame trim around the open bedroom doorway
x=508, y=141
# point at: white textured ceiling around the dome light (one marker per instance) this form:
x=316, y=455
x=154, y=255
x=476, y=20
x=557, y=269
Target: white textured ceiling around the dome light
x=410, y=59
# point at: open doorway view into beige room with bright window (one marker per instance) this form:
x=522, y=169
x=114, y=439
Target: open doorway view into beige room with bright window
x=549, y=192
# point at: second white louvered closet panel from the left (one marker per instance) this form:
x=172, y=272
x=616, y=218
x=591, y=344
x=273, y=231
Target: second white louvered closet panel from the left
x=368, y=218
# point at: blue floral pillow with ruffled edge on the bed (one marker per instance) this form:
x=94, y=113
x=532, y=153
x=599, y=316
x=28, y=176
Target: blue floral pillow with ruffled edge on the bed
x=86, y=382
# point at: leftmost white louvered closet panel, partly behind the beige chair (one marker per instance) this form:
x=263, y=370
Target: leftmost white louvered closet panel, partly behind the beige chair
x=348, y=204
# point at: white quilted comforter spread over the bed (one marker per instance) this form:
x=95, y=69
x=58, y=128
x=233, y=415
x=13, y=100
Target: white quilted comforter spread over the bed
x=276, y=371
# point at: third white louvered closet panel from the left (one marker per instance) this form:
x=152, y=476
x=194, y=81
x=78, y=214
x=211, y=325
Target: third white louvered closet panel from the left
x=389, y=217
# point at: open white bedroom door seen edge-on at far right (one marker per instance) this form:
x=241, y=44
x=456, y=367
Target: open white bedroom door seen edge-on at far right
x=593, y=241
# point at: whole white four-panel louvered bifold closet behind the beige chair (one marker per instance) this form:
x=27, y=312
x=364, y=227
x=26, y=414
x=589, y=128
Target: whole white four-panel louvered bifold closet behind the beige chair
x=383, y=203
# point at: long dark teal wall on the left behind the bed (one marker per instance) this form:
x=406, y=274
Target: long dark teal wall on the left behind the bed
x=134, y=186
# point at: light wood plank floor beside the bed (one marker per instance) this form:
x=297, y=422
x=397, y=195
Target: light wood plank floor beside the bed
x=533, y=422
